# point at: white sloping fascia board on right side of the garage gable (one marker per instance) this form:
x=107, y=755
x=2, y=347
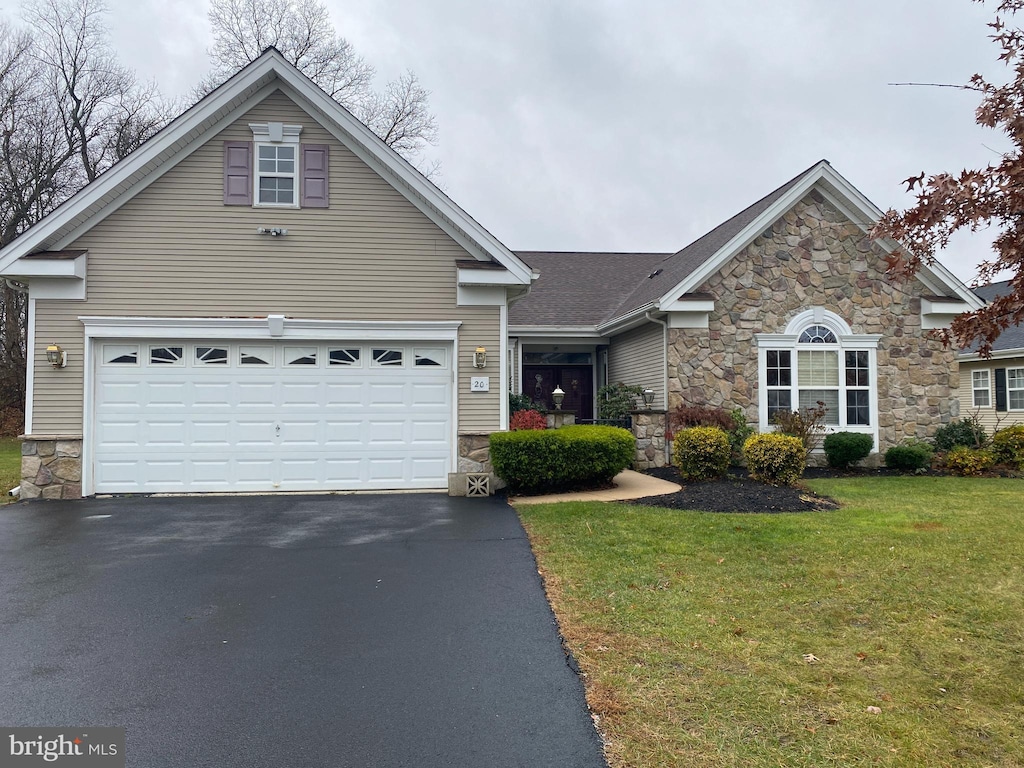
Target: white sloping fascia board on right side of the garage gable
x=369, y=148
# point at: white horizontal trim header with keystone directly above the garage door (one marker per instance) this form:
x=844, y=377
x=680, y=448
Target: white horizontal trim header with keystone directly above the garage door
x=260, y=328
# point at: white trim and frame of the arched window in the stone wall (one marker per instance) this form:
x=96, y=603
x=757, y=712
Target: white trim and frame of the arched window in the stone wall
x=847, y=343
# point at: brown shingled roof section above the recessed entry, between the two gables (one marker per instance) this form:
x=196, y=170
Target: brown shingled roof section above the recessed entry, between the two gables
x=578, y=288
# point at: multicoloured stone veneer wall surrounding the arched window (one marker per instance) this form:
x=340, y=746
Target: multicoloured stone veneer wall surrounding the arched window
x=815, y=257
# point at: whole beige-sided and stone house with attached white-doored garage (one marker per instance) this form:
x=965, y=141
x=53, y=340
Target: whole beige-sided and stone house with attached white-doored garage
x=265, y=297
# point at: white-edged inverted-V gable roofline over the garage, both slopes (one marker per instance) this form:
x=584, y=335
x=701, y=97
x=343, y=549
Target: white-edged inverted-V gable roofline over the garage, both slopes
x=222, y=107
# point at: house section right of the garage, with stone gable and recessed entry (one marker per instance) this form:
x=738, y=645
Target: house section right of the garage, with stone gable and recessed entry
x=784, y=306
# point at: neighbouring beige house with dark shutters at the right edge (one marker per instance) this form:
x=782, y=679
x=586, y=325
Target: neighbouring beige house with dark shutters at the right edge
x=993, y=390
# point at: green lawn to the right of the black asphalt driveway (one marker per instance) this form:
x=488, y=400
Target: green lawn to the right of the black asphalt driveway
x=761, y=641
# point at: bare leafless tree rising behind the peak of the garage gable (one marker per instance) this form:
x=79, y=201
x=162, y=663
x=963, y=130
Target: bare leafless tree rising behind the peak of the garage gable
x=302, y=30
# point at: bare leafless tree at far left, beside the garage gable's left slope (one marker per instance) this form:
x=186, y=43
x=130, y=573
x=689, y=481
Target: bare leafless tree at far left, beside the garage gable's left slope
x=68, y=112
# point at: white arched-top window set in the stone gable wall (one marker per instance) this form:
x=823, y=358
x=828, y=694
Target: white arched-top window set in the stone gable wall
x=820, y=360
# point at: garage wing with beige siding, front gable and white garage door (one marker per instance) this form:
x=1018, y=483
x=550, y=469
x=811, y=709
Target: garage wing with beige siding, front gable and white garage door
x=263, y=297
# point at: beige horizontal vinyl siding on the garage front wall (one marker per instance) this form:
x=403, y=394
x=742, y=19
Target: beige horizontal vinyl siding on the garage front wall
x=176, y=250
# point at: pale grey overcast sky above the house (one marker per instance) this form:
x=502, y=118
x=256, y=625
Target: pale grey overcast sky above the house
x=639, y=126
